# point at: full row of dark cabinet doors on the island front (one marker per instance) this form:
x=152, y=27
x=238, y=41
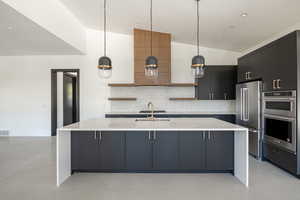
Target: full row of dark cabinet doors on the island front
x=151, y=151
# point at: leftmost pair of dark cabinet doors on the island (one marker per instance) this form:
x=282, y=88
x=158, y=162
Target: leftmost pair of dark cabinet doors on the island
x=97, y=151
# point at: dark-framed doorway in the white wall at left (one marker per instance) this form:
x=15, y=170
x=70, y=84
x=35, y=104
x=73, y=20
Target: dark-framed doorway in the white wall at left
x=65, y=105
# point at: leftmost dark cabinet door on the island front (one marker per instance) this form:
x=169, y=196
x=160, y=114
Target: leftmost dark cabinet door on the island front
x=85, y=151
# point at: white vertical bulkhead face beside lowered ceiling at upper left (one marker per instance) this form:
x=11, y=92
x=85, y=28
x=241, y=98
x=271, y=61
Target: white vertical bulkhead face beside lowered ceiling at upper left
x=53, y=16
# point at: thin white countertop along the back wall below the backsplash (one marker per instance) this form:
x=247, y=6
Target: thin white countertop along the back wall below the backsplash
x=175, y=113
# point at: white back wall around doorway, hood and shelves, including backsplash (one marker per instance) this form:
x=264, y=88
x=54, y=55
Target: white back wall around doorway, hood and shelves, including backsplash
x=25, y=83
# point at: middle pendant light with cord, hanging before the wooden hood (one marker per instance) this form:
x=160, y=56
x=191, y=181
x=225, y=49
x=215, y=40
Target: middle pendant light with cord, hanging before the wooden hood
x=151, y=67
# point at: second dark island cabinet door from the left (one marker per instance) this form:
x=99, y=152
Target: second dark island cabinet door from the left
x=112, y=150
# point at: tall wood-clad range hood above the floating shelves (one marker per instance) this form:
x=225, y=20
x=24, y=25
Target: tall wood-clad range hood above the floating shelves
x=161, y=48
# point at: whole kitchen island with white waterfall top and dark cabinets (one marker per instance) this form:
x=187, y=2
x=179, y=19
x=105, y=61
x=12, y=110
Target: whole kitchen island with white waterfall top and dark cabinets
x=183, y=145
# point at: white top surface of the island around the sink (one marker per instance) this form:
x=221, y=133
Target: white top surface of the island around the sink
x=175, y=124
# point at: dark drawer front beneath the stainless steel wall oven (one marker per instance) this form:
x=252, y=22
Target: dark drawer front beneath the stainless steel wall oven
x=284, y=159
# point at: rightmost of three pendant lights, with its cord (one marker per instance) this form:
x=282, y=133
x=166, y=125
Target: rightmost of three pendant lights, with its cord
x=198, y=61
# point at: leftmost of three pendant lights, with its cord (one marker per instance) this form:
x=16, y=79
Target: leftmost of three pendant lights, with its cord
x=104, y=63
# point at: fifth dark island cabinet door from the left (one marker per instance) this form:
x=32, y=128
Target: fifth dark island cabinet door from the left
x=191, y=150
